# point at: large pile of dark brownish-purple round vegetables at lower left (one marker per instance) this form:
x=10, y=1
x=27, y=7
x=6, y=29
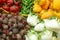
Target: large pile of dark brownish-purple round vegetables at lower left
x=12, y=27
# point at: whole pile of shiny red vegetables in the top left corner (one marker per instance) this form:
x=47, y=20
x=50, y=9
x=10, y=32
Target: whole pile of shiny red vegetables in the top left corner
x=11, y=5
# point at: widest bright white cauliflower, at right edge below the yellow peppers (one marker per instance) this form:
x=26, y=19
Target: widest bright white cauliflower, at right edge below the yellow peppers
x=52, y=24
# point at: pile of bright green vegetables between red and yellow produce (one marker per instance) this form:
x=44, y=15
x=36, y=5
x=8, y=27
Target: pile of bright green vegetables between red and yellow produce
x=26, y=6
